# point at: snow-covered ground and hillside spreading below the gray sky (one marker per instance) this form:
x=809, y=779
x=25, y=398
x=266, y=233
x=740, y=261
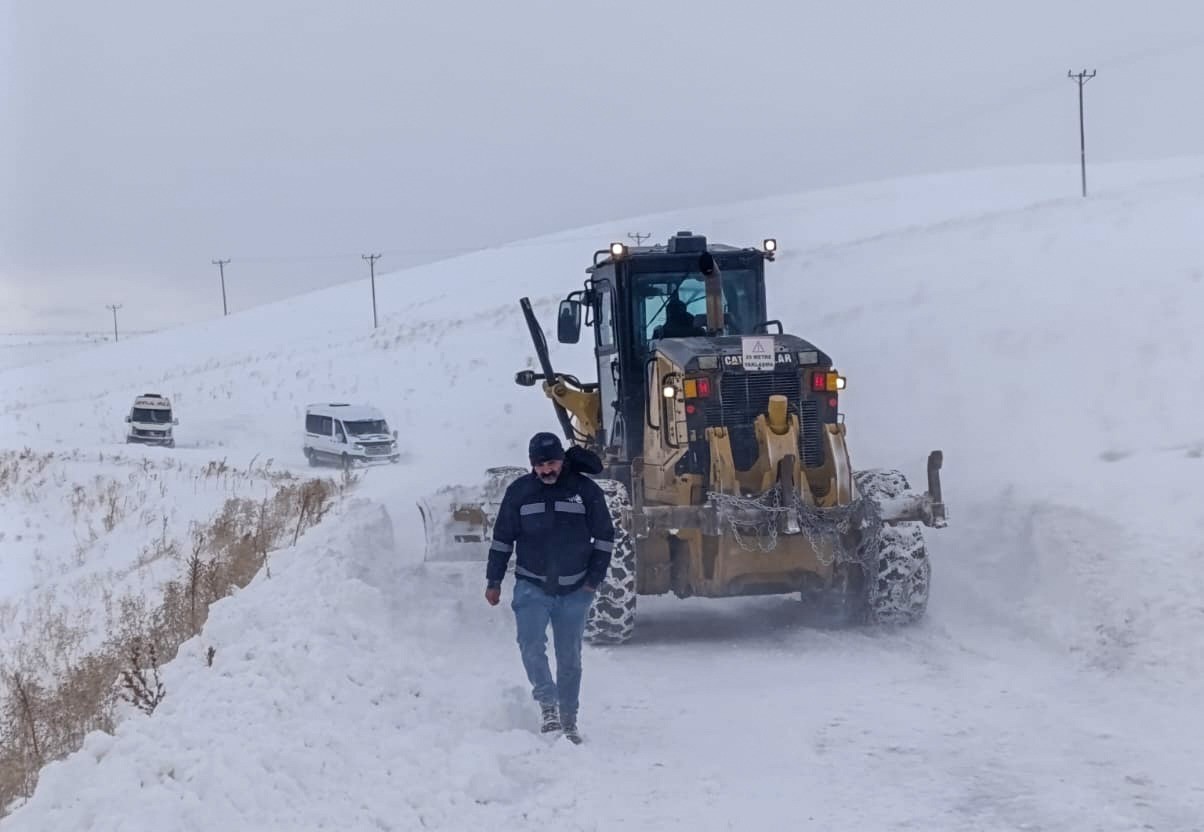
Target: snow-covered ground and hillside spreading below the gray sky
x=1049, y=345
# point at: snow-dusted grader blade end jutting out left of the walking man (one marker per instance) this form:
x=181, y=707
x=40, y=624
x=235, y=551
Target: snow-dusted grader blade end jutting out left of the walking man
x=458, y=521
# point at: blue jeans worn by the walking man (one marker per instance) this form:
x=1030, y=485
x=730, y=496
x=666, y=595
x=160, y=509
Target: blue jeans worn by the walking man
x=534, y=610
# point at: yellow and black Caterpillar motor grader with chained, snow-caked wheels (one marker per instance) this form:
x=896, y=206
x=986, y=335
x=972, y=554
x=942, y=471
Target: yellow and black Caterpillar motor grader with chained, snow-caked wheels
x=721, y=447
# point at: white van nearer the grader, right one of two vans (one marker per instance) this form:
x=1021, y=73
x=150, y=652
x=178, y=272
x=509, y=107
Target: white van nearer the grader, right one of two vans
x=347, y=434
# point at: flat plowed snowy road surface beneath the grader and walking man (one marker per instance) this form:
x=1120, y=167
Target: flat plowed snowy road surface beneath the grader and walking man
x=735, y=715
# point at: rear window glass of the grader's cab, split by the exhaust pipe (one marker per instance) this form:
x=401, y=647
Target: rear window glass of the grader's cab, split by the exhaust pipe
x=670, y=305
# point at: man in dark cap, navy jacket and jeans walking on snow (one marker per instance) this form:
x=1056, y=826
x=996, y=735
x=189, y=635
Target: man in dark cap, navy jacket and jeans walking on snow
x=557, y=523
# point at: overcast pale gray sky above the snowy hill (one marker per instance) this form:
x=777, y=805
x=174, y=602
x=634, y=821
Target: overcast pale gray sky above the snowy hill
x=145, y=138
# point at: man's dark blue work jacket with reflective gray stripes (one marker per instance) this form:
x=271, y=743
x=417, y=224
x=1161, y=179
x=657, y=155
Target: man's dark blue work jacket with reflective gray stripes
x=563, y=534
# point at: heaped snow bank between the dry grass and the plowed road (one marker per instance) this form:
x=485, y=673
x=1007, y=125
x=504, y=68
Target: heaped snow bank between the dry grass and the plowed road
x=316, y=681
